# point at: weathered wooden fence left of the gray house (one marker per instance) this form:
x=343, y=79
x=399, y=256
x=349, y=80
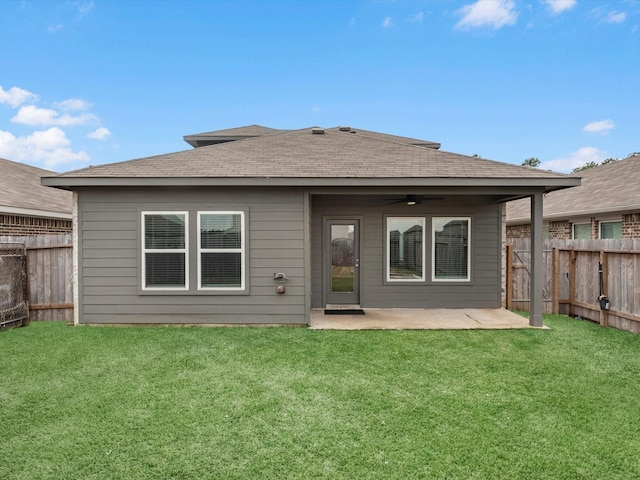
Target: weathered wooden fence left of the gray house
x=49, y=275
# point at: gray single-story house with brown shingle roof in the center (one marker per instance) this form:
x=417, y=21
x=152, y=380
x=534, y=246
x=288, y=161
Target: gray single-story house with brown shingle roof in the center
x=260, y=226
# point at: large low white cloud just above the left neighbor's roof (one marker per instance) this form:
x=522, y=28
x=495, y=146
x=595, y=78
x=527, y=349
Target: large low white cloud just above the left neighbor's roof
x=49, y=148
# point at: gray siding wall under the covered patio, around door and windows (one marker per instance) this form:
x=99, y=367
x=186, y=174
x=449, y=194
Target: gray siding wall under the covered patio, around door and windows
x=483, y=291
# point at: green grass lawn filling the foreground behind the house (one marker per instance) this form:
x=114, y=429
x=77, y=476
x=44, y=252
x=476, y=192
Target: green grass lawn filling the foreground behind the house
x=261, y=403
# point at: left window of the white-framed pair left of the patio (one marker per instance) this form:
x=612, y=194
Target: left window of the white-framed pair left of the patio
x=164, y=247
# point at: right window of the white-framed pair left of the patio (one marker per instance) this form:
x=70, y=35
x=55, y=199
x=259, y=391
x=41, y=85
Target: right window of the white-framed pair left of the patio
x=221, y=251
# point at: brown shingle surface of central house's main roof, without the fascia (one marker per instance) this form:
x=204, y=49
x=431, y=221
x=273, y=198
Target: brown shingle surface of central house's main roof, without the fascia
x=303, y=154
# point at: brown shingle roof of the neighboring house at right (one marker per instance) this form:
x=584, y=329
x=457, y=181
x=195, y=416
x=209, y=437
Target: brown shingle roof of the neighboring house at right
x=612, y=187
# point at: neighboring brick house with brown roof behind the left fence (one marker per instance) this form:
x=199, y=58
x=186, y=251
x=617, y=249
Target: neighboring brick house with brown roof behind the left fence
x=27, y=207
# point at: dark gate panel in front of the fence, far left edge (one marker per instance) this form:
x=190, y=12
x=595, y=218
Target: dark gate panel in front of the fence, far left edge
x=14, y=309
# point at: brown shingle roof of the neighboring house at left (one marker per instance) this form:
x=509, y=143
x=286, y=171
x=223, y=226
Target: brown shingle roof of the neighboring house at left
x=21, y=192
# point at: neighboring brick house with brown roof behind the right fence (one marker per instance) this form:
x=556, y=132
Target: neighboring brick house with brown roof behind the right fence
x=605, y=205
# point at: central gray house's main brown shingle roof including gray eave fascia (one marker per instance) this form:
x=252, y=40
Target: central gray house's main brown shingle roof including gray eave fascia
x=315, y=157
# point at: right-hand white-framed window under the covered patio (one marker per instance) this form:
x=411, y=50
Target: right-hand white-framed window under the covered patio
x=450, y=243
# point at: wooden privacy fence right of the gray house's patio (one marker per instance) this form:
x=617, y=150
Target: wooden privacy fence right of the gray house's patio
x=576, y=274
